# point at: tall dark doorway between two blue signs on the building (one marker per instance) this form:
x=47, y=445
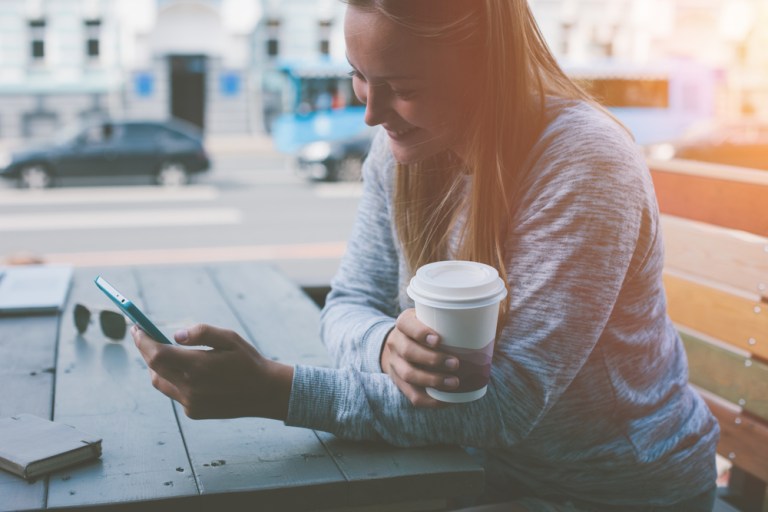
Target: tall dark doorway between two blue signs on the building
x=188, y=88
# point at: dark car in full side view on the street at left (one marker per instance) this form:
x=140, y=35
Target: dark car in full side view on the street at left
x=167, y=151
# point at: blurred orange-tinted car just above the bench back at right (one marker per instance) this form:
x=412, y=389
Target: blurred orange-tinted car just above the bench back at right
x=743, y=144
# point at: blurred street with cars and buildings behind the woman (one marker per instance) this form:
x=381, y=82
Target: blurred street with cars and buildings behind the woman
x=262, y=88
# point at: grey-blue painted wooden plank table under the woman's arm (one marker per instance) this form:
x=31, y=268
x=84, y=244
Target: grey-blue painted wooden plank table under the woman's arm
x=154, y=457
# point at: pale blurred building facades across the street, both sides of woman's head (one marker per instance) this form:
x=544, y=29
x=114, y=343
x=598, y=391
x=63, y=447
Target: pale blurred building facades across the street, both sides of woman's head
x=202, y=60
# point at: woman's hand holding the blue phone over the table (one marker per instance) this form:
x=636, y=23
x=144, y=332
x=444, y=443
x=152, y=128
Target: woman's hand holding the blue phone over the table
x=229, y=380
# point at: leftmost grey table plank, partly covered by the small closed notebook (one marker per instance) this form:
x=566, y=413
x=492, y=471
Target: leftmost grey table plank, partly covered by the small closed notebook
x=27, y=363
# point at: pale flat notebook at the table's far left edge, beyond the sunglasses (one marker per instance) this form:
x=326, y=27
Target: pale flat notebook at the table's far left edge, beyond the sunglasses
x=34, y=288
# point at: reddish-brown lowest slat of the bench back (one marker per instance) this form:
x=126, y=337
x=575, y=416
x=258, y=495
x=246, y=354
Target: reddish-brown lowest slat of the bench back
x=743, y=439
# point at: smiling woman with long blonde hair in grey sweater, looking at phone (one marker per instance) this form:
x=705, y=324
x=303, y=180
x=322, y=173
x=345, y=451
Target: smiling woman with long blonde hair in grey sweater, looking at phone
x=489, y=153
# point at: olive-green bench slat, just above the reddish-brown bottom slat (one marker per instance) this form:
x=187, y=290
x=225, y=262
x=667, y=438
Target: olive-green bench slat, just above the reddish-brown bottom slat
x=727, y=374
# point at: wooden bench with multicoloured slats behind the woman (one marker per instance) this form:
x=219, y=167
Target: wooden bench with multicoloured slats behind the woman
x=715, y=222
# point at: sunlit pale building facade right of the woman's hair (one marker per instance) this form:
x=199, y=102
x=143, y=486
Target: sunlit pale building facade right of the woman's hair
x=730, y=36
